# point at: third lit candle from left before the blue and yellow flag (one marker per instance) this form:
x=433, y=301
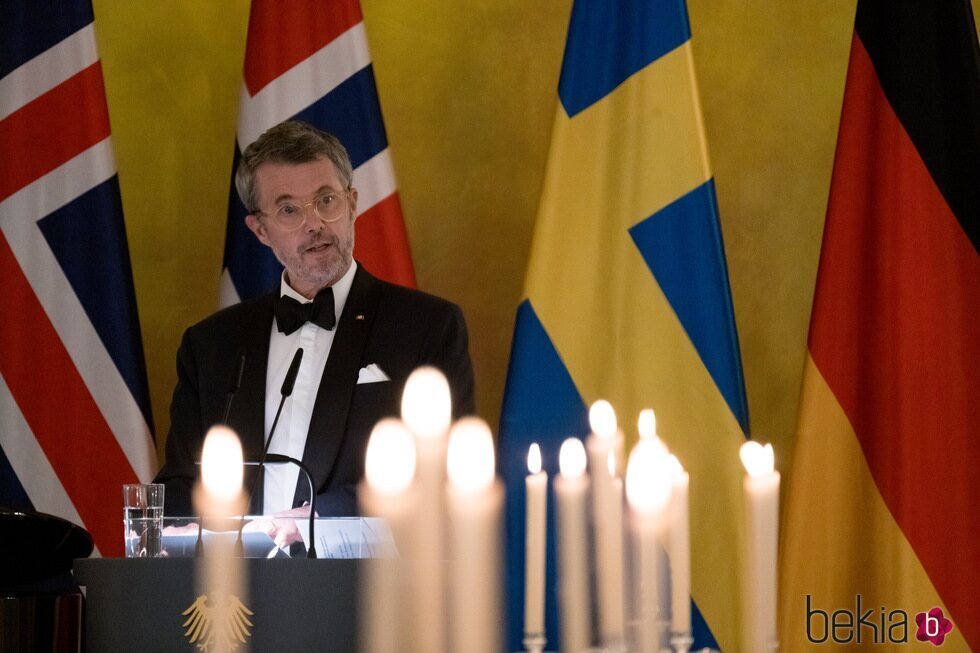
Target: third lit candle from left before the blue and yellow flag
x=606, y=439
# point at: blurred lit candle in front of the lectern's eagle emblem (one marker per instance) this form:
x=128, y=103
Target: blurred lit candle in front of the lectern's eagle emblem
x=219, y=497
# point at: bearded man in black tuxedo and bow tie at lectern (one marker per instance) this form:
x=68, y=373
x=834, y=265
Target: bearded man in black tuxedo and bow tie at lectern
x=361, y=338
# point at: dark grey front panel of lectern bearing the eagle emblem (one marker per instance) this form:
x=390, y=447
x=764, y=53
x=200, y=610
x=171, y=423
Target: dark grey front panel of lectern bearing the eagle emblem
x=296, y=604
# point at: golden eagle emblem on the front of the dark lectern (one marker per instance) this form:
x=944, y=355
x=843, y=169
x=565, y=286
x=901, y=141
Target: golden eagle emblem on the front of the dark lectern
x=217, y=622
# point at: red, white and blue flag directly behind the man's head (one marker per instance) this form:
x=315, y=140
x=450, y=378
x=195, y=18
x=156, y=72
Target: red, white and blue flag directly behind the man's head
x=309, y=60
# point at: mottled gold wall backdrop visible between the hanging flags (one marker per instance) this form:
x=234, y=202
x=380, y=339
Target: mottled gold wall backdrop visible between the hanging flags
x=468, y=92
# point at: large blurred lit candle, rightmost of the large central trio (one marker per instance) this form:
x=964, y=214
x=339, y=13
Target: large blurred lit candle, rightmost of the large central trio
x=475, y=501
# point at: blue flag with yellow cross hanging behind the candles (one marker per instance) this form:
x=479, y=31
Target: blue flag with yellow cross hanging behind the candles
x=627, y=295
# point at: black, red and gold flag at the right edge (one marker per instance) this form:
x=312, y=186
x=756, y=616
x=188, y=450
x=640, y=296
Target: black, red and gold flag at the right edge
x=882, y=508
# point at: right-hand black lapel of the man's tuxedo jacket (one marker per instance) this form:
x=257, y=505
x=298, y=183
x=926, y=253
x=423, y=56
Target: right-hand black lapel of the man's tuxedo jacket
x=328, y=424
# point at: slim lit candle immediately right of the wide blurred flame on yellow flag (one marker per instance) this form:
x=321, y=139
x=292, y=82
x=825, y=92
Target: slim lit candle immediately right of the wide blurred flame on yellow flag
x=679, y=549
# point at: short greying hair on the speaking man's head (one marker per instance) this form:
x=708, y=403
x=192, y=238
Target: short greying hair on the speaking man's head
x=295, y=142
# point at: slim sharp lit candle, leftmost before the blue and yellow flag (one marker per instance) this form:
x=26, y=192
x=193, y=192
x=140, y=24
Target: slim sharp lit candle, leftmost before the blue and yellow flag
x=536, y=487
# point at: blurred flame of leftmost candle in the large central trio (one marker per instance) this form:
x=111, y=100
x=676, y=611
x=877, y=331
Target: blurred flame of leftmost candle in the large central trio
x=389, y=464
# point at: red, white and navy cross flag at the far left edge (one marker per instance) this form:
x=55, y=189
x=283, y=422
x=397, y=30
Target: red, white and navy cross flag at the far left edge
x=75, y=419
